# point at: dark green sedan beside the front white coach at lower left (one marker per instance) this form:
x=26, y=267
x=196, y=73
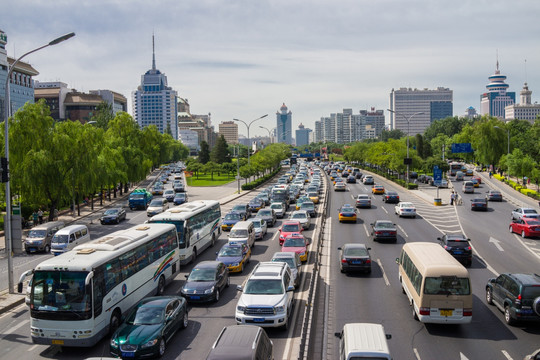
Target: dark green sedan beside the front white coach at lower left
x=149, y=327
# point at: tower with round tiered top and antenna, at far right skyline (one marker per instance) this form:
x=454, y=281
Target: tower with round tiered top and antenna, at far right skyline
x=496, y=99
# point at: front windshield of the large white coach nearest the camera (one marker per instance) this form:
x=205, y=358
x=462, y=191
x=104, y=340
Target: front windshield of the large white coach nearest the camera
x=60, y=295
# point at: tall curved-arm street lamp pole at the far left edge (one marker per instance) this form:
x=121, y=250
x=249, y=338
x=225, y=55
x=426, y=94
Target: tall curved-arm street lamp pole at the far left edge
x=7, y=224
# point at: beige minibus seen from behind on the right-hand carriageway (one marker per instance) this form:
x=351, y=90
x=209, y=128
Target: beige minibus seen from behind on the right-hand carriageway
x=437, y=285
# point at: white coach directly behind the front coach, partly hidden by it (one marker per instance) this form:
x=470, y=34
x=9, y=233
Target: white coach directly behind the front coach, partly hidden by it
x=197, y=224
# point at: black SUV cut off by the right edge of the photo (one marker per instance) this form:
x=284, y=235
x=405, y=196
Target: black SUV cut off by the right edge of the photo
x=517, y=295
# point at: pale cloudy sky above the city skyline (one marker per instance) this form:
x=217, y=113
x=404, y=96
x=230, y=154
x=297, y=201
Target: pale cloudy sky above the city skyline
x=245, y=58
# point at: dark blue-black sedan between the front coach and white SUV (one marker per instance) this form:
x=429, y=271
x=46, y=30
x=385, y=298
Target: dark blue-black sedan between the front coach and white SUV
x=206, y=281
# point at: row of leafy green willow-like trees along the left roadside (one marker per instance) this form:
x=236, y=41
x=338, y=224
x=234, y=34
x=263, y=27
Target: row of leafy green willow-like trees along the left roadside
x=54, y=162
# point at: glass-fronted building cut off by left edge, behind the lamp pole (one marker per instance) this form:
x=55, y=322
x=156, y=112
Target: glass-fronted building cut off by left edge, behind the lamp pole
x=21, y=85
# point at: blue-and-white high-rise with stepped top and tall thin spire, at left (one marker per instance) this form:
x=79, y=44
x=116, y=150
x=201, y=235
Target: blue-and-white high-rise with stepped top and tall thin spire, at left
x=155, y=103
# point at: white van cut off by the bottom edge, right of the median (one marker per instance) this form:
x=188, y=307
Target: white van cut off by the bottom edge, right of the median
x=363, y=340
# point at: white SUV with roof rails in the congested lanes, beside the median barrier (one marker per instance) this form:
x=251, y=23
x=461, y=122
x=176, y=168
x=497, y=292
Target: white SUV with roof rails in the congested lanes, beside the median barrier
x=267, y=296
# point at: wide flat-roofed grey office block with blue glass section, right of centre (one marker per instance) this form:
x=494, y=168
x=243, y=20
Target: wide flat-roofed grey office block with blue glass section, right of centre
x=433, y=104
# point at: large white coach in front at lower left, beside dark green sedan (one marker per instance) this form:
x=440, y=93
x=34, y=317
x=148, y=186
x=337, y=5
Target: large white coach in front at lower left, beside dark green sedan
x=80, y=296
